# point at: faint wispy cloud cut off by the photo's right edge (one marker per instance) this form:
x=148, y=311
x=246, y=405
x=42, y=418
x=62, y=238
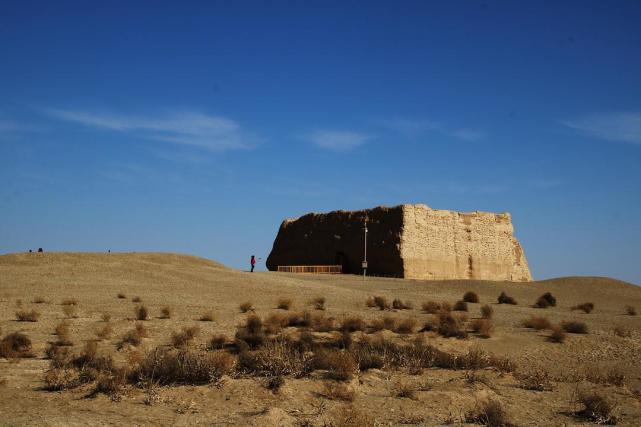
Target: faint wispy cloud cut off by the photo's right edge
x=622, y=127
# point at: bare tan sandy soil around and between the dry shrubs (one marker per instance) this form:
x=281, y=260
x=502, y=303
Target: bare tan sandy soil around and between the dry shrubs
x=600, y=361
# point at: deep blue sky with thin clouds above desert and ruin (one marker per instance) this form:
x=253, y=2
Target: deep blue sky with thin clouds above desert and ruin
x=197, y=127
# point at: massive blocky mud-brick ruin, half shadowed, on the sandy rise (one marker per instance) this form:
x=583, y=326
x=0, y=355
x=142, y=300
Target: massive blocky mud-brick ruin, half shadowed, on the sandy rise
x=411, y=241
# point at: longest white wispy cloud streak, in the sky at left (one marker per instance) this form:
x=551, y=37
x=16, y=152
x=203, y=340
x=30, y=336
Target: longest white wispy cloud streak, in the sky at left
x=184, y=127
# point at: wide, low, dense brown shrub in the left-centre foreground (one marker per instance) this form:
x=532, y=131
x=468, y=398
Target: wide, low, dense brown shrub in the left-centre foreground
x=168, y=366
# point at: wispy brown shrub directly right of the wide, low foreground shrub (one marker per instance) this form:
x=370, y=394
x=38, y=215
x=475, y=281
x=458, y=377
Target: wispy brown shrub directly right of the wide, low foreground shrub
x=276, y=357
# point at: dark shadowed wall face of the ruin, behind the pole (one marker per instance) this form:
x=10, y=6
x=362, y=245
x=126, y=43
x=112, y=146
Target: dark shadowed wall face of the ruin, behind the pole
x=337, y=238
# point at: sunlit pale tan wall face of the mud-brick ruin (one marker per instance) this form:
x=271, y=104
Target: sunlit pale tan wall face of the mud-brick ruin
x=440, y=244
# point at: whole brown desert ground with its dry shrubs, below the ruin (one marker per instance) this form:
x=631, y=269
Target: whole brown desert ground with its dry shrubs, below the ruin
x=339, y=366
